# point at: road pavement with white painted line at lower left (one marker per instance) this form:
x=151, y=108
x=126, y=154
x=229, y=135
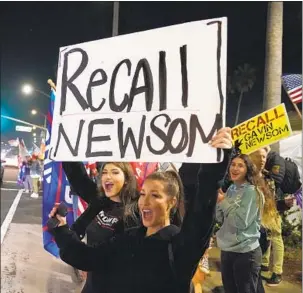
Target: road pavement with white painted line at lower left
x=25, y=266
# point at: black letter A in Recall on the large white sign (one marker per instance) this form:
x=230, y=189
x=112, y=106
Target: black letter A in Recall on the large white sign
x=148, y=87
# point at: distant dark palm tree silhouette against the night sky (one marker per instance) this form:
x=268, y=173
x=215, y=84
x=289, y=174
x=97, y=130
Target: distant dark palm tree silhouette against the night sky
x=242, y=81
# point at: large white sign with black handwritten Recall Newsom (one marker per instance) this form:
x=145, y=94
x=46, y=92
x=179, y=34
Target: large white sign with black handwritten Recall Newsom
x=152, y=96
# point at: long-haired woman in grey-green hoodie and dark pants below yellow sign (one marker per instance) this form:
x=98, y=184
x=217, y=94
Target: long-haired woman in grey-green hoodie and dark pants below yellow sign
x=240, y=212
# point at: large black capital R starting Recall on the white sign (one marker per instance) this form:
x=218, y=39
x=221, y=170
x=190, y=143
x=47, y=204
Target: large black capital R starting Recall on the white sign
x=68, y=83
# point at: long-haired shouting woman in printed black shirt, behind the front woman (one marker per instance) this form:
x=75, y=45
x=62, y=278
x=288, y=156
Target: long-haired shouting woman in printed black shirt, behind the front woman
x=117, y=183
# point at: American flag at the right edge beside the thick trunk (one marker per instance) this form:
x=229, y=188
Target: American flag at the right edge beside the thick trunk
x=293, y=86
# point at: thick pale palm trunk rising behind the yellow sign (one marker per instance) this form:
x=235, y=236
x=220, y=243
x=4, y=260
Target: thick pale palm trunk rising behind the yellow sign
x=273, y=59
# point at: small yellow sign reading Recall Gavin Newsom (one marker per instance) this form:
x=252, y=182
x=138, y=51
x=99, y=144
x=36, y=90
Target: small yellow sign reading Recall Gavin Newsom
x=262, y=130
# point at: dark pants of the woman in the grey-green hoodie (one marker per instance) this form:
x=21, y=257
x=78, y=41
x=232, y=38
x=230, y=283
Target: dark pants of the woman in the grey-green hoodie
x=240, y=271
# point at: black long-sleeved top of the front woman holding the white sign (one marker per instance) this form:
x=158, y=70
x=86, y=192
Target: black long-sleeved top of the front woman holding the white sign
x=133, y=263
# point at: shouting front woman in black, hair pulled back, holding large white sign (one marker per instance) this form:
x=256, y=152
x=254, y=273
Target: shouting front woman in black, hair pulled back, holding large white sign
x=158, y=257
